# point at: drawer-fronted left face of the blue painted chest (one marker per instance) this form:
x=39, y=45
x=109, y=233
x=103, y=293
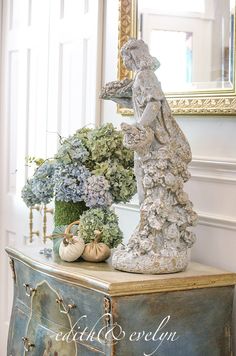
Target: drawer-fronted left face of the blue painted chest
x=38, y=317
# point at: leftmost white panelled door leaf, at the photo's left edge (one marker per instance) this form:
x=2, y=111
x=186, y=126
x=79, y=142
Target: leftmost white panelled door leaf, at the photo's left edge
x=23, y=116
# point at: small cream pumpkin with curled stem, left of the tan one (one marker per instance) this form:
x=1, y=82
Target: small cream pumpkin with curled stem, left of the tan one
x=72, y=247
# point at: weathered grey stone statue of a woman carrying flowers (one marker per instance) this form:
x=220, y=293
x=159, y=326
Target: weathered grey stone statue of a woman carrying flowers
x=160, y=242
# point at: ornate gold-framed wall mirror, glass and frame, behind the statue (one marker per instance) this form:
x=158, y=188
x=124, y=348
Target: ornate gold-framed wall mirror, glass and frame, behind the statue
x=195, y=43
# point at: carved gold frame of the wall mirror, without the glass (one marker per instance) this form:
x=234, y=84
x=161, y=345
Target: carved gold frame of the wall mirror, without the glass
x=205, y=103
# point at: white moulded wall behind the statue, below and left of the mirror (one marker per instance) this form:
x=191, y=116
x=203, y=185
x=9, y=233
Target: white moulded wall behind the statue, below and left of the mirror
x=212, y=187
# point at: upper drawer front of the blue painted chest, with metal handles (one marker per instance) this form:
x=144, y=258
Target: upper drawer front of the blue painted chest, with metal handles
x=78, y=310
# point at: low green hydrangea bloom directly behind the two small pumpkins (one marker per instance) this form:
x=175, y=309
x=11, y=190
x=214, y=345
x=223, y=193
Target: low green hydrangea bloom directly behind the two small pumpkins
x=104, y=220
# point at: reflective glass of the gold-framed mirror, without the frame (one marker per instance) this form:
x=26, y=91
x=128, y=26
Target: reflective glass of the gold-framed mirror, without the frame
x=193, y=40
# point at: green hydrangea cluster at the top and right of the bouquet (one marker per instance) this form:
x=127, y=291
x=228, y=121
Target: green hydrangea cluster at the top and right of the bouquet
x=106, y=155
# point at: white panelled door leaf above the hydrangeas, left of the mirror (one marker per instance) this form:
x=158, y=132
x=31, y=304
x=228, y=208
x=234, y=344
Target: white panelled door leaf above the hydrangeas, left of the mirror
x=74, y=67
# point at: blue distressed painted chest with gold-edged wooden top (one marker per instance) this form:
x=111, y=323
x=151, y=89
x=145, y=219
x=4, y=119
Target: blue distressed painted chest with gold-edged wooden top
x=200, y=318
